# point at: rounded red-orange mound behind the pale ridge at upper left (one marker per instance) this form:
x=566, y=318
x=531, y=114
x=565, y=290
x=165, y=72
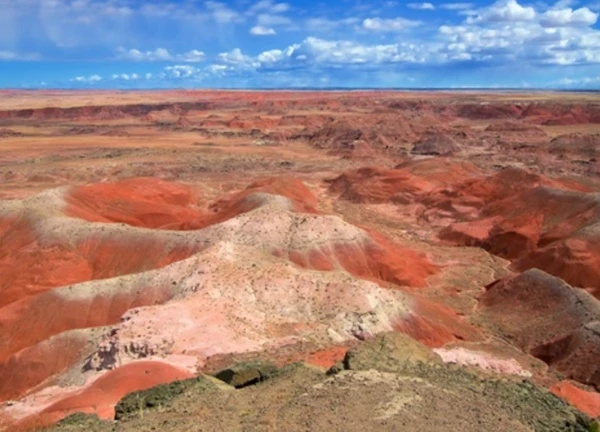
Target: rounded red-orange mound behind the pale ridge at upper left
x=141, y=202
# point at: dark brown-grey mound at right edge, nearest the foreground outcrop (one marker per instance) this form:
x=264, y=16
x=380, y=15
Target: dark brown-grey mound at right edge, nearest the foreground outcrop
x=549, y=319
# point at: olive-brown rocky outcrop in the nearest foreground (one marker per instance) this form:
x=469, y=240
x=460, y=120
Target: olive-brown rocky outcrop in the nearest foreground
x=393, y=381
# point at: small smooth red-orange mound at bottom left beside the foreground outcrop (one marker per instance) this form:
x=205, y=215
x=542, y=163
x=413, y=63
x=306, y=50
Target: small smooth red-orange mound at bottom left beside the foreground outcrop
x=101, y=396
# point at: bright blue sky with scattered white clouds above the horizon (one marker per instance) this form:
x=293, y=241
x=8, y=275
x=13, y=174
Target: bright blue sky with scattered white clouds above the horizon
x=312, y=43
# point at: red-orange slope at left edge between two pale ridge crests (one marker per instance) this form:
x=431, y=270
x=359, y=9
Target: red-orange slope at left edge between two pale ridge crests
x=32, y=262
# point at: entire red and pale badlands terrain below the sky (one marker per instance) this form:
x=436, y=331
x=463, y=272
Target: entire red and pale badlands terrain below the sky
x=194, y=260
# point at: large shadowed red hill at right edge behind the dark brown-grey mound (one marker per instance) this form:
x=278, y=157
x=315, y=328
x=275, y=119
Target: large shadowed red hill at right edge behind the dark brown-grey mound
x=548, y=228
